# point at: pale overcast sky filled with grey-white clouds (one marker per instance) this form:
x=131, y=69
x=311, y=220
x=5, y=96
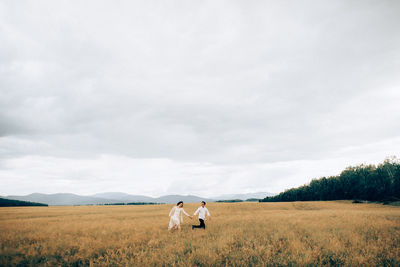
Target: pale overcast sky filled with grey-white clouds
x=194, y=97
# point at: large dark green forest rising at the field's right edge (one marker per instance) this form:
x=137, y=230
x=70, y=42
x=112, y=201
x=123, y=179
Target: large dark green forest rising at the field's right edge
x=362, y=182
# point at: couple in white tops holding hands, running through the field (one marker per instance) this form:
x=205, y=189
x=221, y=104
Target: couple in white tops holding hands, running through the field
x=176, y=216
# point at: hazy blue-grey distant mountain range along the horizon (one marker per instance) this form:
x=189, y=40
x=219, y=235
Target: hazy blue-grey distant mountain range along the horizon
x=69, y=199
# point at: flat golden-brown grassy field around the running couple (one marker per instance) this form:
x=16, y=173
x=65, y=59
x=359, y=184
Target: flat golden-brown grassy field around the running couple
x=239, y=234
